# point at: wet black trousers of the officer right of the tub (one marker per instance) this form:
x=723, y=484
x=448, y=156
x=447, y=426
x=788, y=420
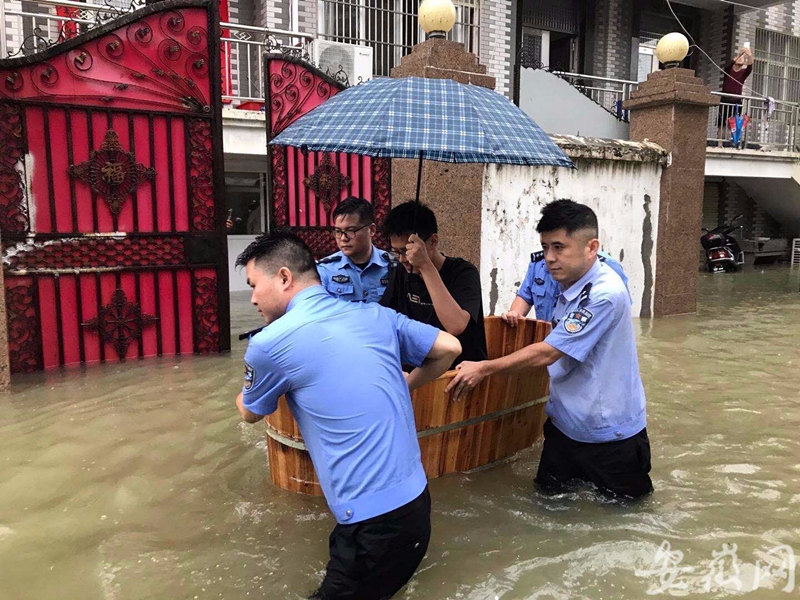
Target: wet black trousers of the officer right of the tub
x=617, y=468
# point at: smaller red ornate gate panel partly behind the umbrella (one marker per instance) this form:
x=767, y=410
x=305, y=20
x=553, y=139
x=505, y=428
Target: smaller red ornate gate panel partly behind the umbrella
x=305, y=187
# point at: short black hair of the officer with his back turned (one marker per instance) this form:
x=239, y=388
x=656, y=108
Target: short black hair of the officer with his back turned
x=280, y=248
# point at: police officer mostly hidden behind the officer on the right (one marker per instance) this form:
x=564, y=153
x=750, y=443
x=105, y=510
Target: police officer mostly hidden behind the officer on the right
x=540, y=290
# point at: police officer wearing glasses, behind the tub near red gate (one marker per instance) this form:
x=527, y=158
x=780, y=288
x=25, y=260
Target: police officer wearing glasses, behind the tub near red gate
x=358, y=272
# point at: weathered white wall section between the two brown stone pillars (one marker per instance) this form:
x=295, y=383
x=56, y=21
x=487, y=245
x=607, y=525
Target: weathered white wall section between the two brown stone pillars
x=624, y=194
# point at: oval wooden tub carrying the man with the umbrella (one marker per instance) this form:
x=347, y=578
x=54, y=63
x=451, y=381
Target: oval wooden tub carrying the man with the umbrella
x=500, y=417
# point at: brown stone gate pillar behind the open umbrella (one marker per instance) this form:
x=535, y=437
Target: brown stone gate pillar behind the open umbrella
x=453, y=191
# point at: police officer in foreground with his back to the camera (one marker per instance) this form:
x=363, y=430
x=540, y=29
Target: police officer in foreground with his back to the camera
x=357, y=423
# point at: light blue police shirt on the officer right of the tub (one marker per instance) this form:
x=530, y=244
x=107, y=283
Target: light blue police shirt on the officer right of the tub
x=596, y=393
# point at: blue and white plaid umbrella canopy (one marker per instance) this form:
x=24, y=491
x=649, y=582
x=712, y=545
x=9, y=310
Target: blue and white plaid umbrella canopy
x=409, y=116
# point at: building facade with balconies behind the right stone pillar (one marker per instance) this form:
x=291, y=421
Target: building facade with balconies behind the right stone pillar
x=611, y=44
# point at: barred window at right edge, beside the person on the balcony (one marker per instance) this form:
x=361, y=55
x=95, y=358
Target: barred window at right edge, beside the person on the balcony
x=776, y=70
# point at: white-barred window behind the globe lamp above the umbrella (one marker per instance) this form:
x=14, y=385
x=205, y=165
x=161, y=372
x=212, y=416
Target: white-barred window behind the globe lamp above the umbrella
x=390, y=27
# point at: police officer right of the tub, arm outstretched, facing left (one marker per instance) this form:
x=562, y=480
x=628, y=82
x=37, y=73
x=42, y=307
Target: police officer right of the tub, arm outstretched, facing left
x=596, y=430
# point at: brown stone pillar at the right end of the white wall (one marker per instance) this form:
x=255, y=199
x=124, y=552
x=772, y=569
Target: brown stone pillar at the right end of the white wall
x=671, y=109
